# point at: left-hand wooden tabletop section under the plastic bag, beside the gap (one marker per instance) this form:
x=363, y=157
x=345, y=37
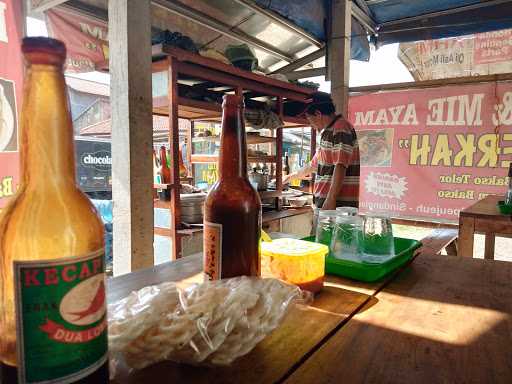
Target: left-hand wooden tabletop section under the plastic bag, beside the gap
x=275, y=356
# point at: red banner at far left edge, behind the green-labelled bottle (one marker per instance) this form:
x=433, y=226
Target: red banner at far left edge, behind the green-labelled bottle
x=11, y=78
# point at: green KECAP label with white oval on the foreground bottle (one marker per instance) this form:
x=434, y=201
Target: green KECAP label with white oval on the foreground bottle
x=61, y=317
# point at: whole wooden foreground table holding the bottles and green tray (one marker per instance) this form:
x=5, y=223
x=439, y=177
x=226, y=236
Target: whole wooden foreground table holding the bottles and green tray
x=442, y=319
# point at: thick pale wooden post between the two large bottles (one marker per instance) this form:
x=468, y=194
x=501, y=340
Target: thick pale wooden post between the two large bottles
x=132, y=134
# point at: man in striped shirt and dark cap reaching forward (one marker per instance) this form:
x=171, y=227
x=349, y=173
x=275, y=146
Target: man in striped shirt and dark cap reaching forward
x=336, y=162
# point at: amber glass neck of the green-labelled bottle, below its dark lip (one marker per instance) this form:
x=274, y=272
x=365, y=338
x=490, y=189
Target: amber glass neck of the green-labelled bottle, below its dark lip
x=47, y=153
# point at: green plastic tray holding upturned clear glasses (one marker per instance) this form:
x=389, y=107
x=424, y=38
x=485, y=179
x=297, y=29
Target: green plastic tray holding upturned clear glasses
x=404, y=249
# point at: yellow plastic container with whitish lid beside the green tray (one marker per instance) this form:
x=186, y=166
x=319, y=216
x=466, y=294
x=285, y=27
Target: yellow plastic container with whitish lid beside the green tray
x=296, y=261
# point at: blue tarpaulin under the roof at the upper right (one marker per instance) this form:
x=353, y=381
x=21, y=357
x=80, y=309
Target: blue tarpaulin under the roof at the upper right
x=311, y=15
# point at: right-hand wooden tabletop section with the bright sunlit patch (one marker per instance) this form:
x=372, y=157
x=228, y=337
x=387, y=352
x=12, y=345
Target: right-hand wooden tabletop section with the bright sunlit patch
x=444, y=319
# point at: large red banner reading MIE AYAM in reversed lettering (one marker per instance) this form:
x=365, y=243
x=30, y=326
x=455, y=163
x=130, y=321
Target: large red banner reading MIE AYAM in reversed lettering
x=430, y=153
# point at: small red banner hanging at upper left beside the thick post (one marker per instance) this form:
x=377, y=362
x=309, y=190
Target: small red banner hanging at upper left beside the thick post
x=86, y=39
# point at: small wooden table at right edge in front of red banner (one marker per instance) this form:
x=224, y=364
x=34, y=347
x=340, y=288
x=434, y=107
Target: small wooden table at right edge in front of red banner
x=482, y=217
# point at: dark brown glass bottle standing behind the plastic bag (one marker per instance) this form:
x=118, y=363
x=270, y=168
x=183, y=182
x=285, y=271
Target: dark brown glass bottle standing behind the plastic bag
x=232, y=214
